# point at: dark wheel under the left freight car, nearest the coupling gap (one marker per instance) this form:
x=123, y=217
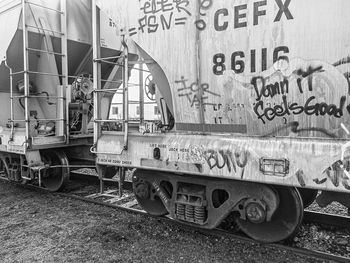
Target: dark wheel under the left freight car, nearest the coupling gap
x=54, y=177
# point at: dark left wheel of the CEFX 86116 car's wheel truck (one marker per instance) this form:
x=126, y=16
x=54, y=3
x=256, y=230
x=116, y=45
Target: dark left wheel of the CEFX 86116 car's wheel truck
x=147, y=198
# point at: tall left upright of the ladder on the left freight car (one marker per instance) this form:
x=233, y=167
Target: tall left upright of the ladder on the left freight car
x=25, y=70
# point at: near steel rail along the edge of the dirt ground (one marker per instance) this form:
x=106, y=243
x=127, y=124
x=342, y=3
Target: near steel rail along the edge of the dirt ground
x=319, y=255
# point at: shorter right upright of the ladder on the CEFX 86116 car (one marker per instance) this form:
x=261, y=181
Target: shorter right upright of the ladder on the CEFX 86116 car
x=126, y=94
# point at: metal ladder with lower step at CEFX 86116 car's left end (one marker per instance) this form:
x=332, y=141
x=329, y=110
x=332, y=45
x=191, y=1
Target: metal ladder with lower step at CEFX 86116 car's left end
x=99, y=90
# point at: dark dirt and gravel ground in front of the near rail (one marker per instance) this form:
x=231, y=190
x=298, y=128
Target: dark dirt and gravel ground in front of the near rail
x=40, y=227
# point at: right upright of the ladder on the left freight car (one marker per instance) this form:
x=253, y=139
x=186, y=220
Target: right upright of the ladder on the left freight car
x=64, y=51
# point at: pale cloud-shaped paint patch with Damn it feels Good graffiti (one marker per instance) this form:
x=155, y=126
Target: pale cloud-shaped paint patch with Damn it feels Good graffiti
x=291, y=88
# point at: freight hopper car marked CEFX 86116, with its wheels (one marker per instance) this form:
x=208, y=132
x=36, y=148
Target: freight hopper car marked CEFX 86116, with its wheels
x=254, y=97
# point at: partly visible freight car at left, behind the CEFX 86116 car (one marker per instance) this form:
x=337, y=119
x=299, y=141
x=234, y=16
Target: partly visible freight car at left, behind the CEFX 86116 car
x=46, y=89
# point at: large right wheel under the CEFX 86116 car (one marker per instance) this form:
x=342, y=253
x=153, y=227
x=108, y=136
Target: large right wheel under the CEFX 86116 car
x=284, y=223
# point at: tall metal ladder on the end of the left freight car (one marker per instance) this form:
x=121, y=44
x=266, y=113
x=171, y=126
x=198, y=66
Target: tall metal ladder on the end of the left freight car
x=27, y=72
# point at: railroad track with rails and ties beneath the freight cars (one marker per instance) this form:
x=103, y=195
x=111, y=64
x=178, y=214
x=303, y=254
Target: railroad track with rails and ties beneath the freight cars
x=128, y=204
